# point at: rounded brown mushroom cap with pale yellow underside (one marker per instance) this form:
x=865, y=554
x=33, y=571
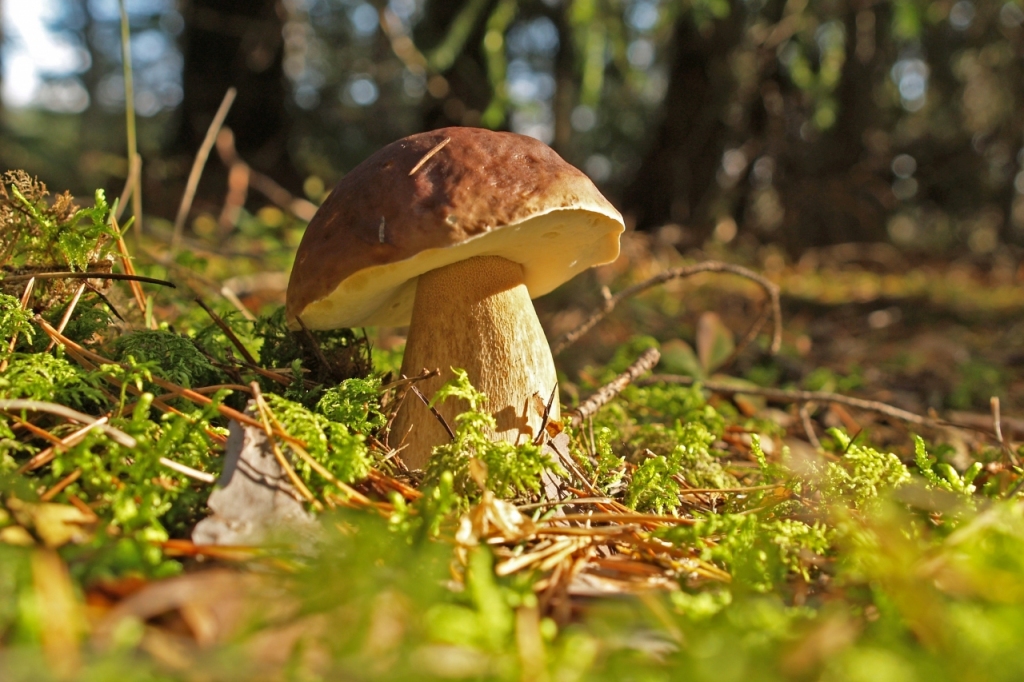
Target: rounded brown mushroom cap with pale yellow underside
x=397, y=217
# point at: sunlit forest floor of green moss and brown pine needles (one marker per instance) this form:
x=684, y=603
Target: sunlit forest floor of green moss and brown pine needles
x=724, y=534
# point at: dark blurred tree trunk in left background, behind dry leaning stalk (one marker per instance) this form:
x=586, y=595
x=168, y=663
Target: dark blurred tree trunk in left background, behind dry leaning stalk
x=238, y=44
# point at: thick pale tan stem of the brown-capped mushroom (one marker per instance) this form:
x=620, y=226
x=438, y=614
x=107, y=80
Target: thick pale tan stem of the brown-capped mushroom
x=476, y=315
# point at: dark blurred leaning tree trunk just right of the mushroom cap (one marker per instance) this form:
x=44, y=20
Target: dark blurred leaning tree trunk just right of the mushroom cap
x=677, y=176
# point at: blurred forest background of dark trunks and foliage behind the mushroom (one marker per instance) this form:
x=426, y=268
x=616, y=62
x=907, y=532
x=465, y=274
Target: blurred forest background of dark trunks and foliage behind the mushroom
x=797, y=122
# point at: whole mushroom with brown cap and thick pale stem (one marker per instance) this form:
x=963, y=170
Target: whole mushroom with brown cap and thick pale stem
x=453, y=232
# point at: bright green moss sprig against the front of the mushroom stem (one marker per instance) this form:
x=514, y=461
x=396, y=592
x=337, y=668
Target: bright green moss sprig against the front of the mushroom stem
x=511, y=471
